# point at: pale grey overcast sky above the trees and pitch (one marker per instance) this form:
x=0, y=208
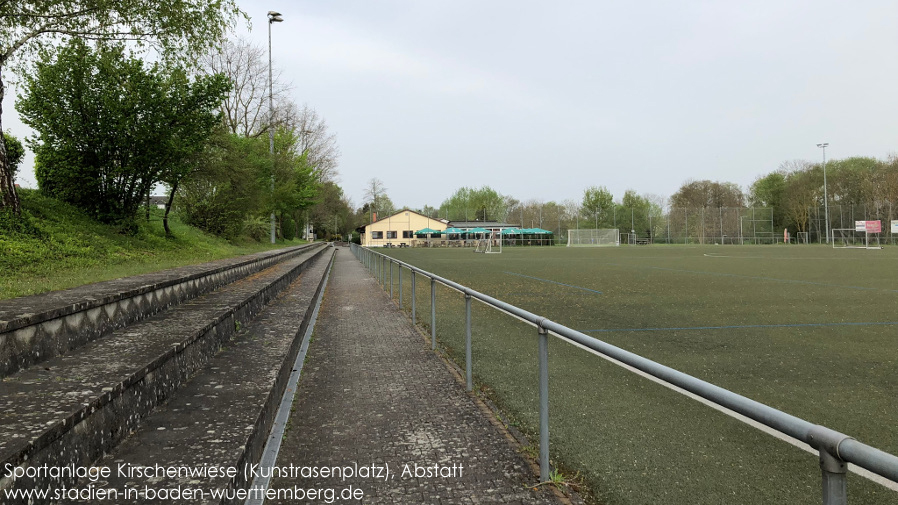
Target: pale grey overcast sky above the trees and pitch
x=539, y=100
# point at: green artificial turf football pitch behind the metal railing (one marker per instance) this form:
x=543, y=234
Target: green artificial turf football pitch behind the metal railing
x=806, y=329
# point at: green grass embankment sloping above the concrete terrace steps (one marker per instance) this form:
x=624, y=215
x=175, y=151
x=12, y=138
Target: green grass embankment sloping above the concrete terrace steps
x=60, y=247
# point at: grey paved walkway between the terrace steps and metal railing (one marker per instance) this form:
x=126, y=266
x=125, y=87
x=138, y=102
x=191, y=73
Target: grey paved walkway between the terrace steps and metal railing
x=373, y=395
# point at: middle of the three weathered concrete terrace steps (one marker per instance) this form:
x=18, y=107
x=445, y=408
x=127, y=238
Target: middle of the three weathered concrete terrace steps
x=73, y=408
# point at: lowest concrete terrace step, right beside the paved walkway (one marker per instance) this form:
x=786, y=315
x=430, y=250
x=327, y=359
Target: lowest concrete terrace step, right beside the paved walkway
x=223, y=415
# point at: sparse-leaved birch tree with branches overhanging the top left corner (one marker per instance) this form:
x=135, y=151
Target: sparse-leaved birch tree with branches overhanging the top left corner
x=177, y=30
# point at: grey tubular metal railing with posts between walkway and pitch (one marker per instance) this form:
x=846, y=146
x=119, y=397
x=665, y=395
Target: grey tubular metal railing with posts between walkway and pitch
x=835, y=449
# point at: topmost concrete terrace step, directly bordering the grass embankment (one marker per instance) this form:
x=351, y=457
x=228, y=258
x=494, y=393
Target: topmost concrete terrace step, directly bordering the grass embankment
x=36, y=328
